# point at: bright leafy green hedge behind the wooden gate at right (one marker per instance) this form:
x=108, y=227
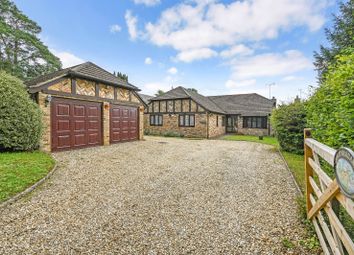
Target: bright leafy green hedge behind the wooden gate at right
x=330, y=110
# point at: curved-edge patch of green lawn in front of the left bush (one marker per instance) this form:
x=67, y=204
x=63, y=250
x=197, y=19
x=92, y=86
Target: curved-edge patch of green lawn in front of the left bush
x=19, y=170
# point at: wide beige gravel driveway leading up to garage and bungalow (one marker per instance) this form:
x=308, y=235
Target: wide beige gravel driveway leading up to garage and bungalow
x=159, y=196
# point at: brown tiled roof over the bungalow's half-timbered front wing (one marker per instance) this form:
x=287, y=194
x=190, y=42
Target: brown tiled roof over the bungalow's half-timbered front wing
x=183, y=93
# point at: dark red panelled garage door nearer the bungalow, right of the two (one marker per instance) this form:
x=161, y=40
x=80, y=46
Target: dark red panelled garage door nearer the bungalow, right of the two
x=124, y=123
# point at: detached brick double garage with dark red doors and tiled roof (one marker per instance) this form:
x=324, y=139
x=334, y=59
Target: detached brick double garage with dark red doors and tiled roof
x=84, y=106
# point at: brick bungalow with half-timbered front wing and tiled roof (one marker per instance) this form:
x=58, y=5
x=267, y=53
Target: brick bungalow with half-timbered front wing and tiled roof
x=185, y=112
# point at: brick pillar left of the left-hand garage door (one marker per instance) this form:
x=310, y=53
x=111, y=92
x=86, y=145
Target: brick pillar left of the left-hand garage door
x=45, y=143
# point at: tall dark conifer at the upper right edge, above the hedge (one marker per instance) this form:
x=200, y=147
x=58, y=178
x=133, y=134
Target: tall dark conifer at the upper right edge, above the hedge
x=340, y=36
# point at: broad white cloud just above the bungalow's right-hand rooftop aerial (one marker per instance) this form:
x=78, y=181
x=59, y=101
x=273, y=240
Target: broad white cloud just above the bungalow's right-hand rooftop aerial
x=269, y=64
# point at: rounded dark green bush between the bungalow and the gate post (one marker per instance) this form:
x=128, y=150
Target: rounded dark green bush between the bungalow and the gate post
x=288, y=122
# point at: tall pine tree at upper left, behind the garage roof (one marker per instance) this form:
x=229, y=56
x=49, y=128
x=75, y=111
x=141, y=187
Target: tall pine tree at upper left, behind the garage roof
x=21, y=51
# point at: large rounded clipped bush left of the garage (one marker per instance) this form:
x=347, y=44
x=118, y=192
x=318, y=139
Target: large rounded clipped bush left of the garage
x=20, y=117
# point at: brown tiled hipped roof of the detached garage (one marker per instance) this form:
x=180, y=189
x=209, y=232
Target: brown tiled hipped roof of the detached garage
x=86, y=70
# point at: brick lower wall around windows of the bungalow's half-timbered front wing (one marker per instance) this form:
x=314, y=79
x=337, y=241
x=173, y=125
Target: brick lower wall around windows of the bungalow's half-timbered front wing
x=170, y=125
